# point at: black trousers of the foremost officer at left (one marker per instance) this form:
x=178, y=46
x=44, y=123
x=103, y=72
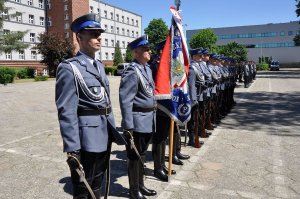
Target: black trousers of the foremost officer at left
x=94, y=166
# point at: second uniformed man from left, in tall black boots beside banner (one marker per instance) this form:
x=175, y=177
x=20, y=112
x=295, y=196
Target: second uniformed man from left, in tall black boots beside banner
x=138, y=106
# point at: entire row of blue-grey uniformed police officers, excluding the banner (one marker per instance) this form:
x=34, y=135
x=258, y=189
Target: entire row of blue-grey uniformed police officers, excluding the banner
x=87, y=123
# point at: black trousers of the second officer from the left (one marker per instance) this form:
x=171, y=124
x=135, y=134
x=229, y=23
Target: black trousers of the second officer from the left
x=141, y=142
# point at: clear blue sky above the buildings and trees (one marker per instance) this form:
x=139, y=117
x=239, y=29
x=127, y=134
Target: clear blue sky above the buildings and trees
x=198, y=14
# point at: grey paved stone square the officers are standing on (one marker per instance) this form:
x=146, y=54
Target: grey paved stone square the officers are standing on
x=254, y=152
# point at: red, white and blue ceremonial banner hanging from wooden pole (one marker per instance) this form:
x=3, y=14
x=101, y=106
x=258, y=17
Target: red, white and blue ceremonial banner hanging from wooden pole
x=171, y=88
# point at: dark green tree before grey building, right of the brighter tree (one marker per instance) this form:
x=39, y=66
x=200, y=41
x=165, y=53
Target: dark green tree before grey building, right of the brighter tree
x=234, y=50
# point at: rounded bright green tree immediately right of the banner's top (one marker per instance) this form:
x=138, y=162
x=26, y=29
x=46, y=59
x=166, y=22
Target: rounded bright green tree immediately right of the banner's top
x=204, y=39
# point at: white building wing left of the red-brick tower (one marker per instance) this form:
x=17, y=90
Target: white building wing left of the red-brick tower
x=31, y=18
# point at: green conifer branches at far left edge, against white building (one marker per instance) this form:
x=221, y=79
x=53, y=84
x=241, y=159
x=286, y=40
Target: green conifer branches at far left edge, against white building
x=12, y=40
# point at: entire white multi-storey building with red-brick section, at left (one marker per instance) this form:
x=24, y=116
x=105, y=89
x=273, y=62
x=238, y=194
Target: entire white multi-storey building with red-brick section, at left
x=56, y=16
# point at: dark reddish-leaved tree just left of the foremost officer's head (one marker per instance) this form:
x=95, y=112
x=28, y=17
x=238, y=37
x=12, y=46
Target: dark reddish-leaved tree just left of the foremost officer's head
x=54, y=49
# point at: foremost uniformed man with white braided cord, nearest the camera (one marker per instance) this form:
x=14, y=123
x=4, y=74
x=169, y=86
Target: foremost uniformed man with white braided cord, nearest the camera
x=86, y=122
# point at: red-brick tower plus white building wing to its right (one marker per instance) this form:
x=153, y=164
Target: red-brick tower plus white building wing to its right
x=121, y=26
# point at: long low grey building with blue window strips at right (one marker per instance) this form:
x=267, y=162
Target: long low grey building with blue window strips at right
x=267, y=40
